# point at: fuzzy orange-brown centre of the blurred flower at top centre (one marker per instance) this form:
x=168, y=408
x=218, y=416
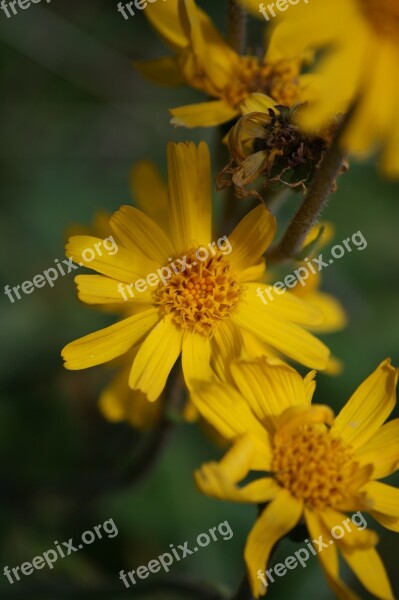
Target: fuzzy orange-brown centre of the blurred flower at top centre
x=278, y=80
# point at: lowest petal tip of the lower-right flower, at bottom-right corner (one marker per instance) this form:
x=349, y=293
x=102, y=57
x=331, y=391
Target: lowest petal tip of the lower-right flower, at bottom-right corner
x=369, y=568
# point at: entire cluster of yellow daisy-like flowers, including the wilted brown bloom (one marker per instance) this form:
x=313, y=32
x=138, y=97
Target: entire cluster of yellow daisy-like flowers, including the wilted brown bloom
x=310, y=466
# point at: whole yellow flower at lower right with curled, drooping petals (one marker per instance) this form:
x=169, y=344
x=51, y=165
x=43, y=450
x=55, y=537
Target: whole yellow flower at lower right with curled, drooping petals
x=319, y=467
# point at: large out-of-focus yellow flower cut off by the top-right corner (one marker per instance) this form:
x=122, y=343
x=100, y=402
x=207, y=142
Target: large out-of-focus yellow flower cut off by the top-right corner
x=361, y=39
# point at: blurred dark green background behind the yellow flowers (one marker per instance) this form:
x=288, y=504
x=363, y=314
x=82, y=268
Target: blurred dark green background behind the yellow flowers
x=74, y=118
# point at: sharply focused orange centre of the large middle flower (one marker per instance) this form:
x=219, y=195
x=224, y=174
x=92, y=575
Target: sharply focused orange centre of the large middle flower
x=201, y=294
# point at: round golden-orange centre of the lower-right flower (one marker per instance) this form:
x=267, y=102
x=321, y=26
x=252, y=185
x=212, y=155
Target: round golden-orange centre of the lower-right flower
x=313, y=465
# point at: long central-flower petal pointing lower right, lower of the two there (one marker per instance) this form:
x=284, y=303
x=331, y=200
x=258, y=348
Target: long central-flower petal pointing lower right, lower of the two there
x=287, y=338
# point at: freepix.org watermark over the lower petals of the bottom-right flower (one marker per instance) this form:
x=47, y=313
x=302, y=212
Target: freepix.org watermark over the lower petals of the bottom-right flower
x=314, y=547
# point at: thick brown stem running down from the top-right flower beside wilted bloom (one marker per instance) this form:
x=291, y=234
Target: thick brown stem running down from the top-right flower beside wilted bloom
x=315, y=201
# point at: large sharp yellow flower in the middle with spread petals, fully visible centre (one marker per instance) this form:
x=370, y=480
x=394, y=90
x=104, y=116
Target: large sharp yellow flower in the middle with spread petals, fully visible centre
x=203, y=306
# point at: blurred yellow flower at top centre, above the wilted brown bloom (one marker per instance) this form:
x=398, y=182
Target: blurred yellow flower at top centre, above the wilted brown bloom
x=204, y=60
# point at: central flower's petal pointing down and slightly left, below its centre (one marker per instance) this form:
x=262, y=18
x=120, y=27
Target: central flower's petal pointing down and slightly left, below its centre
x=156, y=358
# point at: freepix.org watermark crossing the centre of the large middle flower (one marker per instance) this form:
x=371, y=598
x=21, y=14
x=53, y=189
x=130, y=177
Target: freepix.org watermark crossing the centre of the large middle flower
x=175, y=266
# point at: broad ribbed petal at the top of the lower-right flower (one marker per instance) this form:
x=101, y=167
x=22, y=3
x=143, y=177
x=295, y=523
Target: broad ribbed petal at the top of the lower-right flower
x=268, y=389
